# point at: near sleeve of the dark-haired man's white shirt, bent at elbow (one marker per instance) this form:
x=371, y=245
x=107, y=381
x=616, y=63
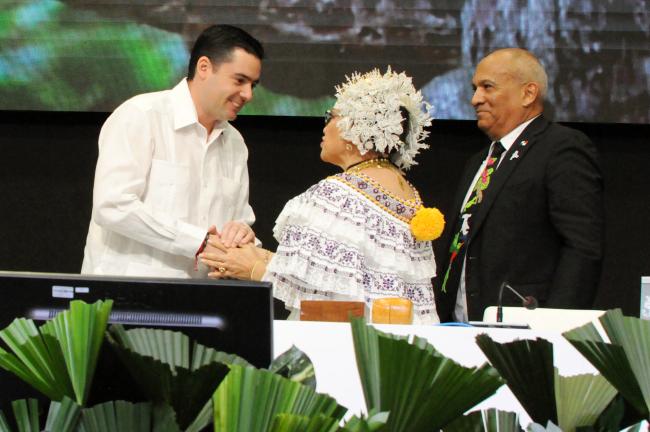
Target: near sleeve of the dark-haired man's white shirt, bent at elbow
x=125, y=157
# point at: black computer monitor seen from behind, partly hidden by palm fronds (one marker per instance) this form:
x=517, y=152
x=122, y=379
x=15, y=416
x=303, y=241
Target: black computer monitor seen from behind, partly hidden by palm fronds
x=230, y=316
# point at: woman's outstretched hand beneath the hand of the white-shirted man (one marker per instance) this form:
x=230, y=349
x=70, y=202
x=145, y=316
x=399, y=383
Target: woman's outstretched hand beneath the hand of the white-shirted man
x=234, y=263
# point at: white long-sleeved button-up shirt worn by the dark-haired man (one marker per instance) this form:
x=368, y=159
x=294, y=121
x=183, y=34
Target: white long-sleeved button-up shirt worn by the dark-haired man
x=160, y=182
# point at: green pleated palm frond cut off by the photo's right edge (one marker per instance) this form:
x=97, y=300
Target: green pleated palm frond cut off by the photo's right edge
x=625, y=361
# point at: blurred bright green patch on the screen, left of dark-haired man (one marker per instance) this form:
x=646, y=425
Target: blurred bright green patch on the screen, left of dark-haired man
x=54, y=57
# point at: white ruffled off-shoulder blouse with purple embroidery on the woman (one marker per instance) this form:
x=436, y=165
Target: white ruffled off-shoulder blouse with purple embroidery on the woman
x=346, y=238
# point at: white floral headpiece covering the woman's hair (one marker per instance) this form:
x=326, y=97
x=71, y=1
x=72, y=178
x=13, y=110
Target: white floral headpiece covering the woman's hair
x=368, y=107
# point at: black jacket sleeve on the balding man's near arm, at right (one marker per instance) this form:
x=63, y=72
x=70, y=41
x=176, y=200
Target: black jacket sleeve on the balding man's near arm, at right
x=575, y=194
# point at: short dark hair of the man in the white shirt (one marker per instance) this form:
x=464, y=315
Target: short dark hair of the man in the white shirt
x=217, y=42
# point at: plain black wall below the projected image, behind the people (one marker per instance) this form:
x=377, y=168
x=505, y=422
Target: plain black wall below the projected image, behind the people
x=48, y=160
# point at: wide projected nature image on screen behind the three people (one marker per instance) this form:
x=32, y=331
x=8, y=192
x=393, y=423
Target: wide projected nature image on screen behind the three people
x=91, y=55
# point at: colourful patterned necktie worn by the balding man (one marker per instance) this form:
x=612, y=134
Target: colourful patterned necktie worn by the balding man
x=462, y=227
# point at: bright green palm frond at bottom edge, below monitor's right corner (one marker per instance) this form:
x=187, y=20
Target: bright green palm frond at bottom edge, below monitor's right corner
x=248, y=400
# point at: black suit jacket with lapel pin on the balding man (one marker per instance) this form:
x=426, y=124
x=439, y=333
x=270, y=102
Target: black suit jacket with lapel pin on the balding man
x=540, y=226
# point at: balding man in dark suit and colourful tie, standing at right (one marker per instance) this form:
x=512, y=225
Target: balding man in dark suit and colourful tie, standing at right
x=529, y=209
